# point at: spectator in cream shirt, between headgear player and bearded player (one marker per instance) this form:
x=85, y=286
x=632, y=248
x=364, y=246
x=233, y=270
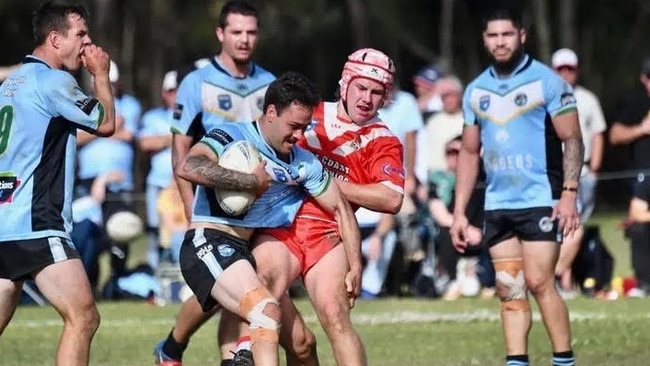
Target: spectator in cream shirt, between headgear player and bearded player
x=445, y=125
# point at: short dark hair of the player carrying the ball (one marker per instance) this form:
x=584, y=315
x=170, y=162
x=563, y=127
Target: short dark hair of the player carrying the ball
x=291, y=87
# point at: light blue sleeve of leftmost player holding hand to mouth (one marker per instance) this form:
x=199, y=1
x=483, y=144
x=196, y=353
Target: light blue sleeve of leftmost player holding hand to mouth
x=65, y=98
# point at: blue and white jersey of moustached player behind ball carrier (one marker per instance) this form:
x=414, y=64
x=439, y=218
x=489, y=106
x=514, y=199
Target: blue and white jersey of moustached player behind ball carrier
x=210, y=96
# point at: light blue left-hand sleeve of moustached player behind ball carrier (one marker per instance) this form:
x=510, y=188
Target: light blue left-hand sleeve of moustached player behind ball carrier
x=188, y=103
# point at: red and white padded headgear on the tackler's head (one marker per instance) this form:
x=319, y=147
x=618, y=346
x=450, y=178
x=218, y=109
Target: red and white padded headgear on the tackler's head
x=367, y=63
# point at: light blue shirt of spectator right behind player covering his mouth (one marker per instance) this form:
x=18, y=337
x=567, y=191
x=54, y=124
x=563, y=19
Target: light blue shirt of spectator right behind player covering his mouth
x=104, y=154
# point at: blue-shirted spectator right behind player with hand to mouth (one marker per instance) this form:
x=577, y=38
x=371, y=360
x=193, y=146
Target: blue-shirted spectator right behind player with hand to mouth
x=98, y=156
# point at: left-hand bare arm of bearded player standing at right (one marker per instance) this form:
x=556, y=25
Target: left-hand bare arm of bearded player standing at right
x=468, y=160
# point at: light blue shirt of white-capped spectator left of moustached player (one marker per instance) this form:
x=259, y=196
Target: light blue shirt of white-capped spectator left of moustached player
x=157, y=122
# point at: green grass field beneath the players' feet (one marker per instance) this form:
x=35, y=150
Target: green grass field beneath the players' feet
x=395, y=331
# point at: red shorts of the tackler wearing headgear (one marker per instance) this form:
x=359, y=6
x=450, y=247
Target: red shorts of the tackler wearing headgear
x=307, y=239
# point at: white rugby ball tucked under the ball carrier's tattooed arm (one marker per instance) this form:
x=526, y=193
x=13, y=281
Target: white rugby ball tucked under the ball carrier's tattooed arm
x=241, y=156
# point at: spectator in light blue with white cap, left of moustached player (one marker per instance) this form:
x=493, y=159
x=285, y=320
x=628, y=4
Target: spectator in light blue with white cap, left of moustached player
x=155, y=139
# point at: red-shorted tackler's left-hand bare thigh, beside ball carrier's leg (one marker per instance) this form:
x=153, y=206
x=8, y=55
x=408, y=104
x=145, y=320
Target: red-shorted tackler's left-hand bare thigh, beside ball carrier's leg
x=277, y=267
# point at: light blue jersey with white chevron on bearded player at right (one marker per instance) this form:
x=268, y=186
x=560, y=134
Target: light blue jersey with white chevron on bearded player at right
x=522, y=154
